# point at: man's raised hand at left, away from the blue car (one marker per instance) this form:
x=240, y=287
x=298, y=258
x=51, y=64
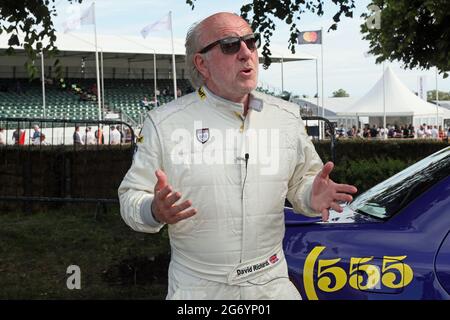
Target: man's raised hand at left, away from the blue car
x=163, y=205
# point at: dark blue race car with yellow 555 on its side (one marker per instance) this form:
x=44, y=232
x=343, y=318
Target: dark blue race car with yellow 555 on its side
x=390, y=242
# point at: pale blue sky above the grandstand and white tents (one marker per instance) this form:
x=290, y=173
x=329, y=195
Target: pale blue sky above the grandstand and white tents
x=346, y=64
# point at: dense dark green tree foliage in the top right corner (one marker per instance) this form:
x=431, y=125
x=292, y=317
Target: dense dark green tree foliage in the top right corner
x=414, y=32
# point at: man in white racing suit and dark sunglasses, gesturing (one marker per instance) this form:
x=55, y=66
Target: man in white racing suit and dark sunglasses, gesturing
x=202, y=168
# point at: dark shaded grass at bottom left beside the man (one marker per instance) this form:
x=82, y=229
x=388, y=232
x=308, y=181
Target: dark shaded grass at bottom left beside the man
x=115, y=261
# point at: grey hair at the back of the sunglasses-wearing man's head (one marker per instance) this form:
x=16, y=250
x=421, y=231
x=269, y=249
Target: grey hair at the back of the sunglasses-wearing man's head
x=192, y=47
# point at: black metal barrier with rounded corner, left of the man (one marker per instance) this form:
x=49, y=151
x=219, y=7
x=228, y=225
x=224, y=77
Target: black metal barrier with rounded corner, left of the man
x=62, y=168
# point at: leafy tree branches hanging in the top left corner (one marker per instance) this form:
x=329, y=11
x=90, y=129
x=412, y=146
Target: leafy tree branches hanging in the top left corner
x=33, y=18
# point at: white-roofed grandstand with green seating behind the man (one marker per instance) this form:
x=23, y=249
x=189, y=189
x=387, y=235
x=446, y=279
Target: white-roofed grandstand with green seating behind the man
x=128, y=77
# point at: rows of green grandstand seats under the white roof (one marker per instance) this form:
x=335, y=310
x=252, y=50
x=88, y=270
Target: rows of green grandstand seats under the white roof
x=121, y=95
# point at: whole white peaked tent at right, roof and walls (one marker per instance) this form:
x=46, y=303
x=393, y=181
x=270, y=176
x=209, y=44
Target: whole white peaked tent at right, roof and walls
x=390, y=97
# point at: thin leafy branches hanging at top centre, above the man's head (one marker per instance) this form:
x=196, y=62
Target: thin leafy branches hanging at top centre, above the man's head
x=289, y=11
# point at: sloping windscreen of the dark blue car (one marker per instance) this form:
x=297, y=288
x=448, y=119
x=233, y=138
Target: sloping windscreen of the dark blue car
x=387, y=198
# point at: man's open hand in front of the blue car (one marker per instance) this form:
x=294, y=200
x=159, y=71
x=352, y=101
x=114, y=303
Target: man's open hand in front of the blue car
x=325, y=192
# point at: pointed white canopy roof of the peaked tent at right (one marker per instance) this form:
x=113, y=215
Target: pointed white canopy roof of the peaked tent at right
x=398, y=101
